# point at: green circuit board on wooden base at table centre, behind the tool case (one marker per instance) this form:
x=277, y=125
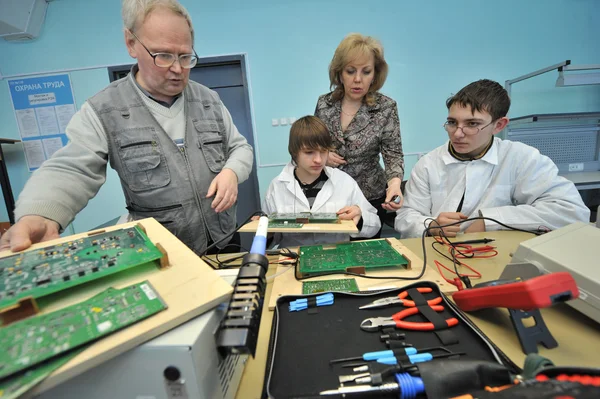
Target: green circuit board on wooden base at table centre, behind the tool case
x=316, y=259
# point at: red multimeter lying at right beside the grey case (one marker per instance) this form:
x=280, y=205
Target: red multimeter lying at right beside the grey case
x=535, y=293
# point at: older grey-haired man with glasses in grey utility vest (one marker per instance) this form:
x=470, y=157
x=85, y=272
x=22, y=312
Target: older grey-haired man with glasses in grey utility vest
x=172, y=142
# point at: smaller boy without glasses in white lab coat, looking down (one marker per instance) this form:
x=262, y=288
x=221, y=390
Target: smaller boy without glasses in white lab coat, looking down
x=306, y=184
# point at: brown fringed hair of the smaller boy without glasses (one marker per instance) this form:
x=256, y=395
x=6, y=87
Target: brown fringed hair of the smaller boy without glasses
x=309, y=133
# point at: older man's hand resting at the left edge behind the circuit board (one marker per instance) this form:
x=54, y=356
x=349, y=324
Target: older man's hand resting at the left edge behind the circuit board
x=29, y=230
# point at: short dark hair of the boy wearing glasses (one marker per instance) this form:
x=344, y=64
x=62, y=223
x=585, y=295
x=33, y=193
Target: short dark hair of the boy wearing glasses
x=483, y=95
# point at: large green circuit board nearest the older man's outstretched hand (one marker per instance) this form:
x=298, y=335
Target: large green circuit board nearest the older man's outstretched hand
x=44, y=271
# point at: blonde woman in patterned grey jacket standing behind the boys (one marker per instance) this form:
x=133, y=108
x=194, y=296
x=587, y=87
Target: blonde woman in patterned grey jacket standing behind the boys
x=364, y=123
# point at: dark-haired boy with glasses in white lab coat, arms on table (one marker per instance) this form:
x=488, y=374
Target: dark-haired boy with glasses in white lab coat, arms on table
x=475, y=174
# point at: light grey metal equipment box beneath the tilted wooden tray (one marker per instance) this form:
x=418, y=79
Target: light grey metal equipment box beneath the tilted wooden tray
x=145, y=371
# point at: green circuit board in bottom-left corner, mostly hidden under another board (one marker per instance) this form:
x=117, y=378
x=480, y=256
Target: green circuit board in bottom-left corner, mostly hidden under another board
x=16, y=385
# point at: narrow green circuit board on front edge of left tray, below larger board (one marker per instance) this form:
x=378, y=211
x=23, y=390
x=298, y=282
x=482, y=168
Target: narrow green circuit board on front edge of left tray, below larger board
x=39, y=338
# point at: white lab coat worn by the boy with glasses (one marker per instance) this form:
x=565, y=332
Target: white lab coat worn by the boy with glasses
x=513, y=183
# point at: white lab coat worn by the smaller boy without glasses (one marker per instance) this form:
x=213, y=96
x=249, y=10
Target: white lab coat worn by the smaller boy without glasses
x=285, y=196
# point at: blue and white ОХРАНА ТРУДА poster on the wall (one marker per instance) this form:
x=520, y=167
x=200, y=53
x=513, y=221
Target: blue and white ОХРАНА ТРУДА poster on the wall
x=43, y=107
